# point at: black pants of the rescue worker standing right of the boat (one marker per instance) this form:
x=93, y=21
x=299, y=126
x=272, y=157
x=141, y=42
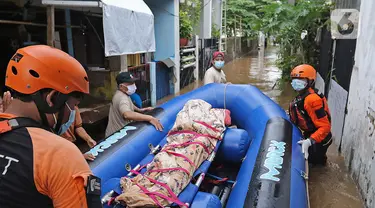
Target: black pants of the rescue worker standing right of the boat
x=318, y=151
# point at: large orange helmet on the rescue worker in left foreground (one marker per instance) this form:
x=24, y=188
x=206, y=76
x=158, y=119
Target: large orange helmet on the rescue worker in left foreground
x=34, y=68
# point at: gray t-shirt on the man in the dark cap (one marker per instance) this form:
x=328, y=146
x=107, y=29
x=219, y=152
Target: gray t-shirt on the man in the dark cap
x=121, y=103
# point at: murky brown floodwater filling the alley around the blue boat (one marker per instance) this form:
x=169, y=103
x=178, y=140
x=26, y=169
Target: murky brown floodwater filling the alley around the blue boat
x=330, y=186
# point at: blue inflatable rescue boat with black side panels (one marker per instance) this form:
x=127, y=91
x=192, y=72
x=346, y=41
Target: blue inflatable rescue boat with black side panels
x=258, y=164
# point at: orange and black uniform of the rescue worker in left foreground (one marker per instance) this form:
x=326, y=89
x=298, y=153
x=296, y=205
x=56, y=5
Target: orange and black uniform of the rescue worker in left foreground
x=46, y=170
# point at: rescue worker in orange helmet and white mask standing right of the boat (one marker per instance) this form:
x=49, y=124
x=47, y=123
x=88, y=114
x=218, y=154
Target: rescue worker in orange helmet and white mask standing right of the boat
x=309, y=111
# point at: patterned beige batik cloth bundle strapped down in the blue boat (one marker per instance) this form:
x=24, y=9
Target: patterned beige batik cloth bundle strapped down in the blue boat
x=192, y=139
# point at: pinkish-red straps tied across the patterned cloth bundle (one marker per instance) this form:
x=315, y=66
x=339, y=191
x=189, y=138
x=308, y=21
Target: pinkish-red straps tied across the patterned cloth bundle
x=173, y=197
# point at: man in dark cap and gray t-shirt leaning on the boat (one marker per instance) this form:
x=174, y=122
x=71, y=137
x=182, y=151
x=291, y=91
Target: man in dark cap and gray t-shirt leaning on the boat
x=122, y=110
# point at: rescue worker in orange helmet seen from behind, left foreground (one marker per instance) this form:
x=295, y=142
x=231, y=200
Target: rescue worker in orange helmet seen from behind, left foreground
x=37, y=167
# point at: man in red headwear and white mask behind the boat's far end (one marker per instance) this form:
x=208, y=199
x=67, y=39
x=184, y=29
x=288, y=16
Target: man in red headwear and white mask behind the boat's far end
x=215, y=74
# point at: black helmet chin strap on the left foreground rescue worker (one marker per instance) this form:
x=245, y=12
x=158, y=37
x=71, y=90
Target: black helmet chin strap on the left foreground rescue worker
x=44, y=108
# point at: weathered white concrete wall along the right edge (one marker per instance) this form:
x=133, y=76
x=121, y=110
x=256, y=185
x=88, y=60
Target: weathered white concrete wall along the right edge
x=358, y=141
